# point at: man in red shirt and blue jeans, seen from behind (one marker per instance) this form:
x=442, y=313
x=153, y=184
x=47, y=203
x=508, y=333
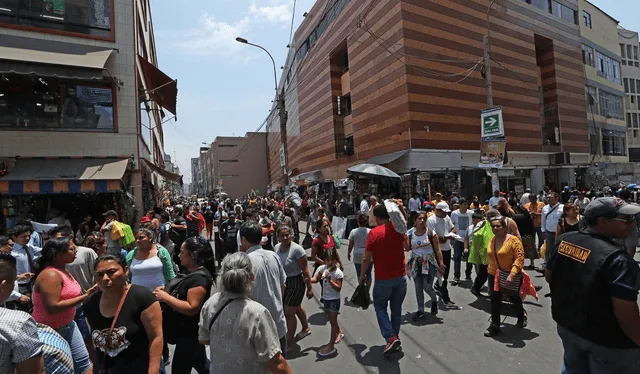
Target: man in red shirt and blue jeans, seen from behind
x=386, y=247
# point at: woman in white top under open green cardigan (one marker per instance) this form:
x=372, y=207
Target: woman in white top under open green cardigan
x=149, y=263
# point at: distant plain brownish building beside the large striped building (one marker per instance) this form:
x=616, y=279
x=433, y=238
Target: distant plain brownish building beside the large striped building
x=237, y=165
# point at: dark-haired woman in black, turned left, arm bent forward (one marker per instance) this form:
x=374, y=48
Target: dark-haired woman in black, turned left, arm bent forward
x=182, y=301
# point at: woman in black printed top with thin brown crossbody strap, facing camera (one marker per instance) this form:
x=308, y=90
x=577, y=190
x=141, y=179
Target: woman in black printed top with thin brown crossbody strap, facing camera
x=134, y=345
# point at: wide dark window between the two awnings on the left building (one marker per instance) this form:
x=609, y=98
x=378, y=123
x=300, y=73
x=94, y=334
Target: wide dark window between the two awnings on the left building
x=31, y=102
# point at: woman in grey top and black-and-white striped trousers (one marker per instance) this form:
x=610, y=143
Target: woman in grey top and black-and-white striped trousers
x=294, y=260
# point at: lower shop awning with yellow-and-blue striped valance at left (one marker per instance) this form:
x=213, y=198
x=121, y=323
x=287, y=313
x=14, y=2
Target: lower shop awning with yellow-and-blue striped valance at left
x=52, y=176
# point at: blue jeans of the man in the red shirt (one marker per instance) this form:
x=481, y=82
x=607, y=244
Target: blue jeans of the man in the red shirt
x=389, y=292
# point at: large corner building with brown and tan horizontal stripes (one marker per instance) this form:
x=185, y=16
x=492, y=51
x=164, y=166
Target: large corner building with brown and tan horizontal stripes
x=400, y=83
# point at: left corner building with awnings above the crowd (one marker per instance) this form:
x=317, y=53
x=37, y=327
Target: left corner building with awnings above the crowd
x=82, y=101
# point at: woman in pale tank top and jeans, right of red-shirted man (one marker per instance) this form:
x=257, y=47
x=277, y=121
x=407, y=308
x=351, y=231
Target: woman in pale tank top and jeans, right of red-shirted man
x=425, y=264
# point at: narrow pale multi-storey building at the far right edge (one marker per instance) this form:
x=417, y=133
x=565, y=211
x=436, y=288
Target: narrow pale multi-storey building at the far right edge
x=629, y=45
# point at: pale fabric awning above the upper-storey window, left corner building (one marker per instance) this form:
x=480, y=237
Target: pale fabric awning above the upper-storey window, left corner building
x=49, y=58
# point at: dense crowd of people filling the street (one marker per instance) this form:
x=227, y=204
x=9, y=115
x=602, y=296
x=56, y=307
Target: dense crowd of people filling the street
x=83, y=301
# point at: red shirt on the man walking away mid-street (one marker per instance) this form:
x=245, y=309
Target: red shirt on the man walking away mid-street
x=387, y=248
